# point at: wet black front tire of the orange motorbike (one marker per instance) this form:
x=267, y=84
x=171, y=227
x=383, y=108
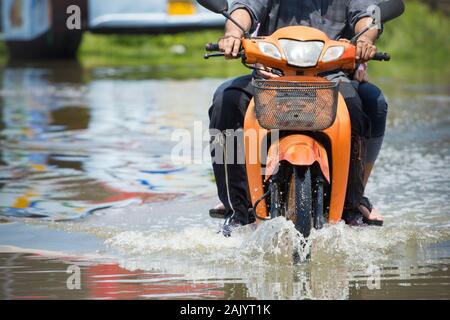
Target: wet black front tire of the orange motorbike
x=299, y=202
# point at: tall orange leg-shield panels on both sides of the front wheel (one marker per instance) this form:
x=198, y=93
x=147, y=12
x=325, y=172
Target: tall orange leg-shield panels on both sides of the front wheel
x=339, y=135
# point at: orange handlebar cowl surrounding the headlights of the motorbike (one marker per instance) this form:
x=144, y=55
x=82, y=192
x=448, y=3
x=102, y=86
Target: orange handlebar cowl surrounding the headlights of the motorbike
x=253, y=54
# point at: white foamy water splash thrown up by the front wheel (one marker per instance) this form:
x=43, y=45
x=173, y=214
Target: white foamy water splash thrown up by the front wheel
x=273, y=244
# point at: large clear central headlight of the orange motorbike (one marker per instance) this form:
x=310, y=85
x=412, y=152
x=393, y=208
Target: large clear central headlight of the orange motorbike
x=302, y=53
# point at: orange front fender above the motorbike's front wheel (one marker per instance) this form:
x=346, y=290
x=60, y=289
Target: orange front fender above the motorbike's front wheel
x=298, y=150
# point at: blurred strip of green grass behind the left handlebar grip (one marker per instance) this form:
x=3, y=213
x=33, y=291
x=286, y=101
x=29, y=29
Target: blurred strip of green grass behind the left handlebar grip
x=179, y=55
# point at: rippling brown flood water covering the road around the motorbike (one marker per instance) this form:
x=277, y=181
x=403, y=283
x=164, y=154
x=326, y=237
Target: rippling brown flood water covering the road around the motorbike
x=87, y=180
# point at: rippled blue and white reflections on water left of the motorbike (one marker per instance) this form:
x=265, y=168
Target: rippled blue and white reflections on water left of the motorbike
x=71, y=147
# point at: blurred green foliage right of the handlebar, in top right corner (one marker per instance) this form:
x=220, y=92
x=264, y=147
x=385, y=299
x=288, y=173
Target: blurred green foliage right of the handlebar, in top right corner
x=419, y=43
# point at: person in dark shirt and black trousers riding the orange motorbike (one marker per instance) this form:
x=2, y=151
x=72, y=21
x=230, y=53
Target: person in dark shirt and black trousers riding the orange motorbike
x=339, y=19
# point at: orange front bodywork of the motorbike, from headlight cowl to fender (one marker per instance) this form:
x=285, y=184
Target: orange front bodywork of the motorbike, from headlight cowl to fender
x=302, y=54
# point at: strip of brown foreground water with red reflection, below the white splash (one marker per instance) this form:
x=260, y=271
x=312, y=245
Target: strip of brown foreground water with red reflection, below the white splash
x=28, y=276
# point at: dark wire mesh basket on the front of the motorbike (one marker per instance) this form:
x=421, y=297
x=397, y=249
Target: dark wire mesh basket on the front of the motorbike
x=291, y=105
